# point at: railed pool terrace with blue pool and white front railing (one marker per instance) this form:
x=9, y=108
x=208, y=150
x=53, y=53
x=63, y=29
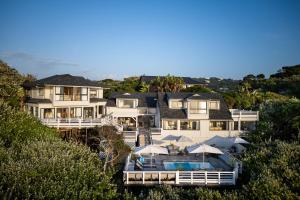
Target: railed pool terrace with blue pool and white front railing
x=188, y=169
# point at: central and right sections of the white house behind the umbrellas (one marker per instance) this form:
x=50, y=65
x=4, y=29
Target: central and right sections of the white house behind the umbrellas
x=167, y=116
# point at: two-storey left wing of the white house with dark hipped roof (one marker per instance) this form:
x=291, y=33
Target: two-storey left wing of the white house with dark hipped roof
x=66, y=101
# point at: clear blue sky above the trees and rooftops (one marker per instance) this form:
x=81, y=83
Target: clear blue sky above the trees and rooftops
x=113, y=39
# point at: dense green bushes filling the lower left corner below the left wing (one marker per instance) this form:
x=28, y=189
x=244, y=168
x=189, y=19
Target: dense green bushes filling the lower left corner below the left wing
x=36, y=164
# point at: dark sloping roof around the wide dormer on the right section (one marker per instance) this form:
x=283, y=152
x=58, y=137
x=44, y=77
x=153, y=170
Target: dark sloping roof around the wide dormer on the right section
x=166, y=112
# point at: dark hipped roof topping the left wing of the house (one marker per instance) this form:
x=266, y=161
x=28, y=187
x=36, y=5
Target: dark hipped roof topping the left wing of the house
x=66, y=79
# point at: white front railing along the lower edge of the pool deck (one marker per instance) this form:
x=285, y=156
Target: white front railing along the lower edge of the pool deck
x=179, y=177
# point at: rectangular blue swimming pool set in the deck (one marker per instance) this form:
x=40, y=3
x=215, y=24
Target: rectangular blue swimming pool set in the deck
x=186, y=165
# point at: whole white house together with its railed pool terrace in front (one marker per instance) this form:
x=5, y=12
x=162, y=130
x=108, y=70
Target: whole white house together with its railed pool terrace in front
x=183, y=119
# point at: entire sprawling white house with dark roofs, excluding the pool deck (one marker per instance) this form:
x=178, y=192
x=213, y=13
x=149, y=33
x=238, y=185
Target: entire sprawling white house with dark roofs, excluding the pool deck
x=65, y=101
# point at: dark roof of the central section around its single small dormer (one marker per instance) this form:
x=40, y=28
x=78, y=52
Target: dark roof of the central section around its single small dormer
x=144, y=99
